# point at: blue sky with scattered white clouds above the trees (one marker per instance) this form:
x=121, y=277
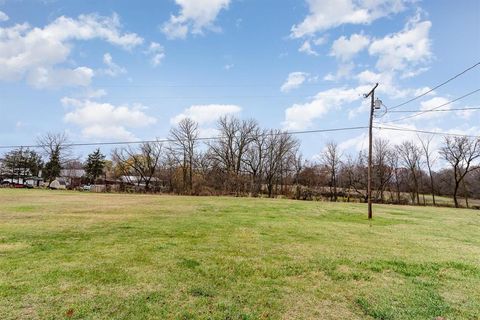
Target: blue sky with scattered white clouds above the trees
x=118, y=70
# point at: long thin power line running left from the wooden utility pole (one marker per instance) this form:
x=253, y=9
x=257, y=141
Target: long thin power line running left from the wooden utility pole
x=172, y=140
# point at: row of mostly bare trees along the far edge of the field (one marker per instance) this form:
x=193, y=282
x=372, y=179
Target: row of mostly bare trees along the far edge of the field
x=245, y=159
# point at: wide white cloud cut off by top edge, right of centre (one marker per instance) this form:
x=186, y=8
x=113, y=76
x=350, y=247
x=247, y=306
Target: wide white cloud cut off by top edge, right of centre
x=326, y=14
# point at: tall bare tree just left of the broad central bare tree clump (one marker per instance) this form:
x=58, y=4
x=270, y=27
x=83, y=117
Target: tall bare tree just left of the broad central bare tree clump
x=183, y=146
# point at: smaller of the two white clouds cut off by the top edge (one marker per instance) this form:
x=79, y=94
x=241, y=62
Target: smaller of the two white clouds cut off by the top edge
x=194, y=17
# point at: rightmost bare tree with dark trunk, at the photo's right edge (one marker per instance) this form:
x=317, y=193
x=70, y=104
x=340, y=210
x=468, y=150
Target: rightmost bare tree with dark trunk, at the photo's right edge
x=460, y=153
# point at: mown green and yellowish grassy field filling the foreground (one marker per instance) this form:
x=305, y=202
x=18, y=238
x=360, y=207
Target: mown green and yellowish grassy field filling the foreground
x=110, y=256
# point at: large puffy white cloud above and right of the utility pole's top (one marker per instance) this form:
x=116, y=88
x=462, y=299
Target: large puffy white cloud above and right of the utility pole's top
x=404, y=49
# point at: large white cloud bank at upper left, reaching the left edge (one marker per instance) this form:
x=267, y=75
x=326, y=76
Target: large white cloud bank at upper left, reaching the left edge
x=35, y=53
